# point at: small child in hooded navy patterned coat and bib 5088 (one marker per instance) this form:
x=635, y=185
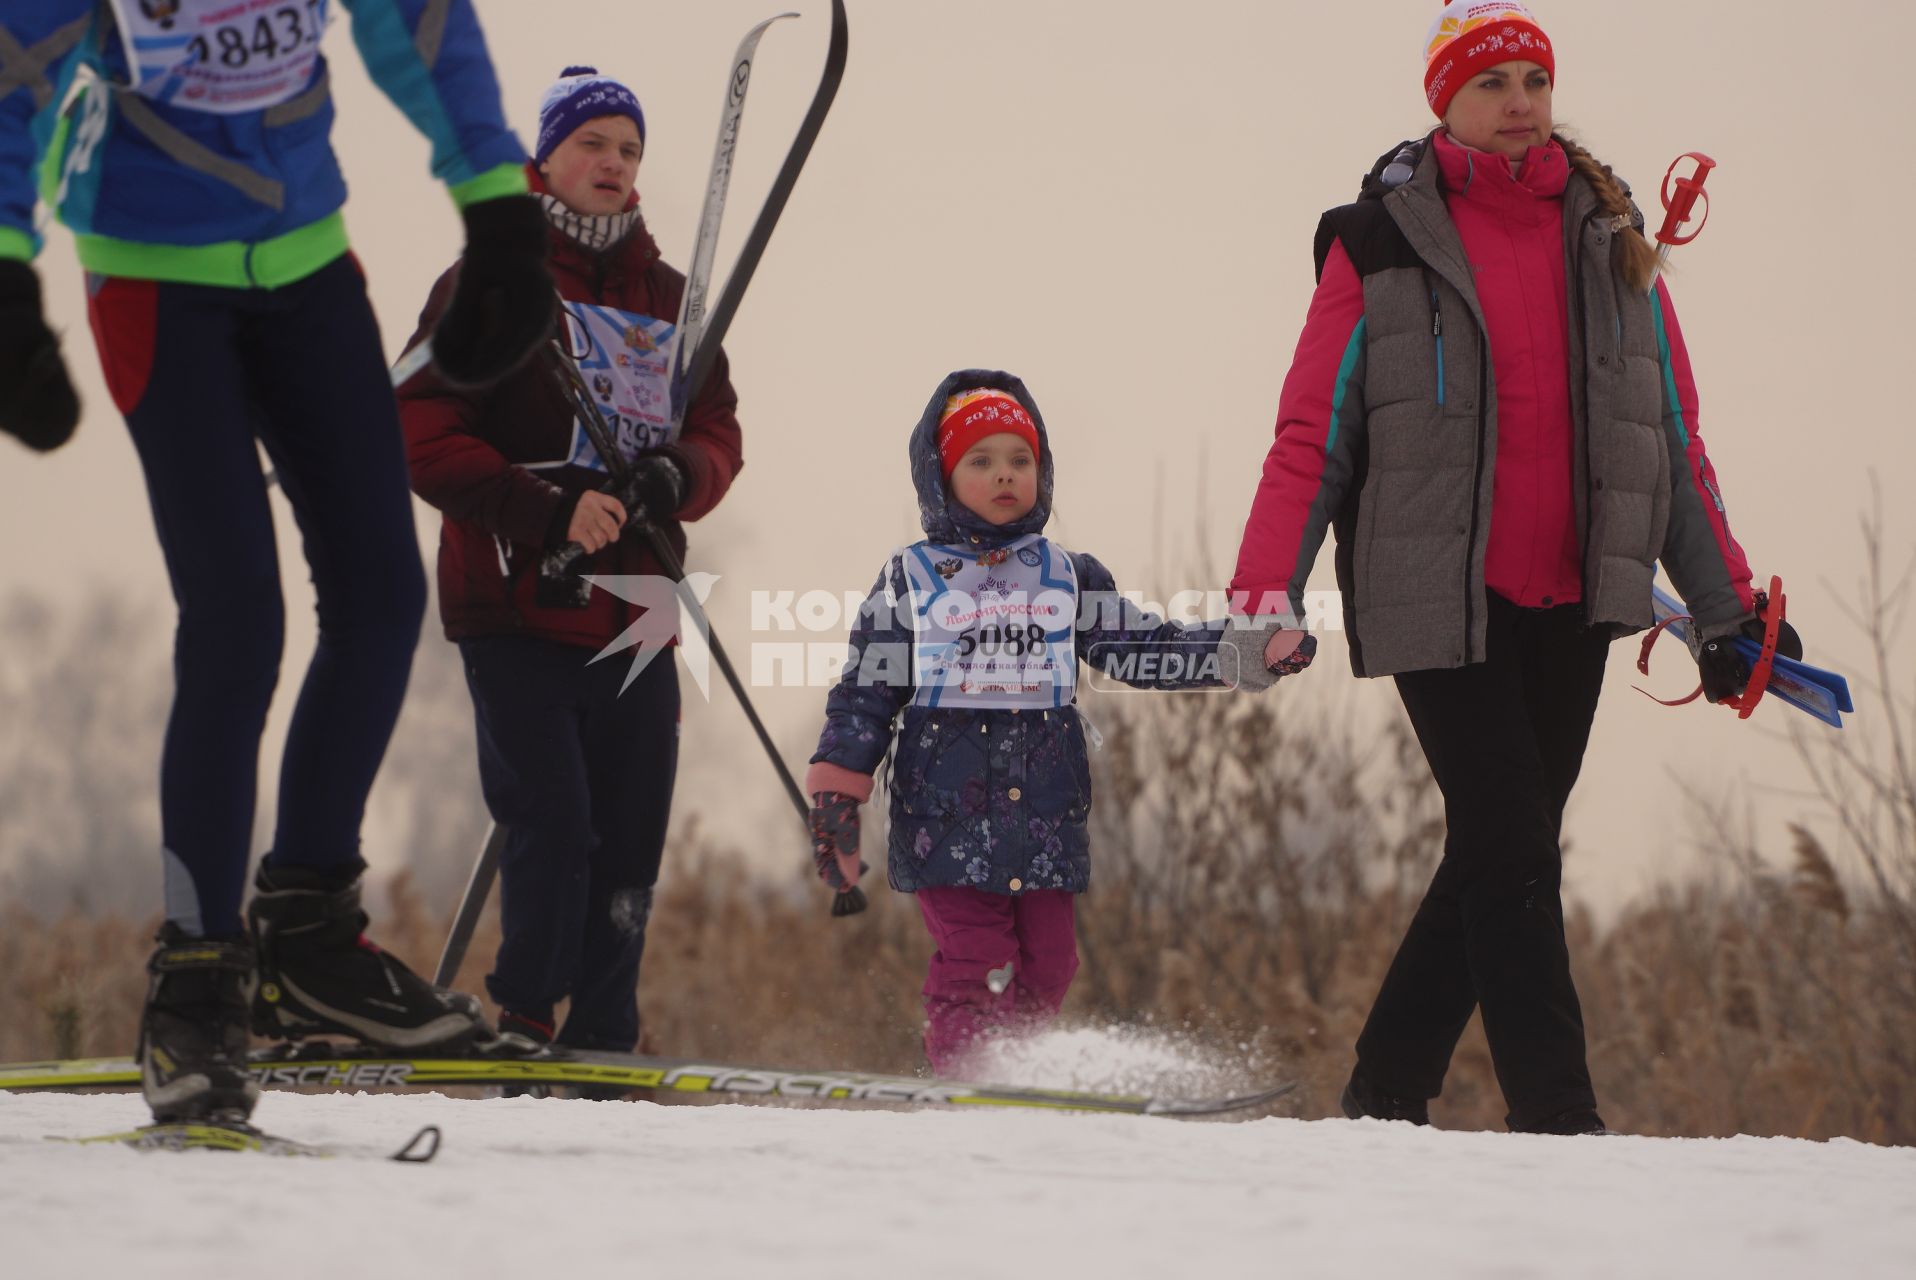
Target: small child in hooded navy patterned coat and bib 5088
x=969, y=652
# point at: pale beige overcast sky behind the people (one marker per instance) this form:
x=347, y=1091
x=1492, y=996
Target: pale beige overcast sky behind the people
x=1116, y=202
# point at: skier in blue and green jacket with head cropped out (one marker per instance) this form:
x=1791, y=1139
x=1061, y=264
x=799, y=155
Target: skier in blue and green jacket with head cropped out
x=185, y=143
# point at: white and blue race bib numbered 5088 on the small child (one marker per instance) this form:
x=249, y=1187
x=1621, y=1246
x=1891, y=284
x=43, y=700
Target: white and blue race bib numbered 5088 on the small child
x=995, y=629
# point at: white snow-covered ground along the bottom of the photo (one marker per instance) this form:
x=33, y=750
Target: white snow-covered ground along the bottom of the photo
x=631, y=1189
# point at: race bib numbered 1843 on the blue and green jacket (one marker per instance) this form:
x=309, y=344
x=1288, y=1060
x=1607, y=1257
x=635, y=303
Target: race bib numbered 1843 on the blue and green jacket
x=221, y=57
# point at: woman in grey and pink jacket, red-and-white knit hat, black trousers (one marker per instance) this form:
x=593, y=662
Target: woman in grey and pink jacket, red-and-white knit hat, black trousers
x=1494, y=407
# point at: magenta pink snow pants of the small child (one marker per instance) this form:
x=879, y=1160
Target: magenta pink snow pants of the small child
x=980, y=934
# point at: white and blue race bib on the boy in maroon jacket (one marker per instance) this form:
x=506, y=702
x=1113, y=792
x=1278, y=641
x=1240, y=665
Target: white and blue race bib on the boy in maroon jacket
x=627, y=363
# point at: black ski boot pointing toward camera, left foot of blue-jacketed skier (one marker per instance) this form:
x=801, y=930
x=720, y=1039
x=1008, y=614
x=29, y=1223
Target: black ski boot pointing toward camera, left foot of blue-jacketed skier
x=193, y=1032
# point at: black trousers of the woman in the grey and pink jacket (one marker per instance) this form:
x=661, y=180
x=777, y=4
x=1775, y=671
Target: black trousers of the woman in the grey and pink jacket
x=1505, y=741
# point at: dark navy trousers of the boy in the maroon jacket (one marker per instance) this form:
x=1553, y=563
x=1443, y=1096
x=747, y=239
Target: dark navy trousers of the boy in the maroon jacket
x=582, y=777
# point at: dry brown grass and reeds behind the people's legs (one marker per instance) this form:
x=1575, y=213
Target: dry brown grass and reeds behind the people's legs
x=1248, y=911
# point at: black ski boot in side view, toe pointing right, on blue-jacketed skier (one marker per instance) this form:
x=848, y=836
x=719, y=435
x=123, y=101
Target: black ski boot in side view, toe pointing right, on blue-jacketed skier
x=319, y=974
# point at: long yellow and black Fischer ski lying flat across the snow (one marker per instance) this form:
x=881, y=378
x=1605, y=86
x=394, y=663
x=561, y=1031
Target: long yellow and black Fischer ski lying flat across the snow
x=327, y=1068
